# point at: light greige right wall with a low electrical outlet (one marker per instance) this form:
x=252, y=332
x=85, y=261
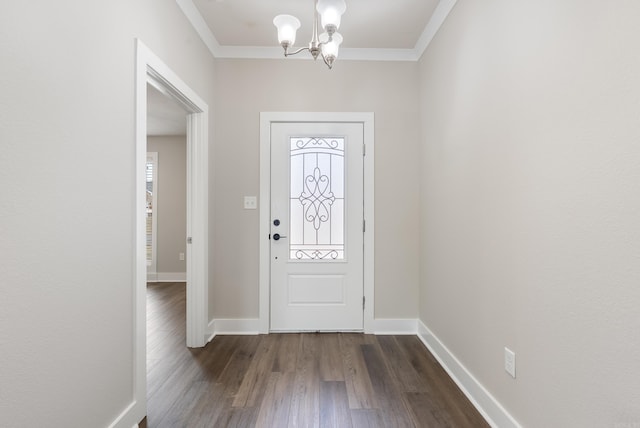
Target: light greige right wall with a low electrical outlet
x=531, y=204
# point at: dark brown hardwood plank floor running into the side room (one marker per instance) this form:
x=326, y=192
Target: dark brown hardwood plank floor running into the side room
x=292, y=380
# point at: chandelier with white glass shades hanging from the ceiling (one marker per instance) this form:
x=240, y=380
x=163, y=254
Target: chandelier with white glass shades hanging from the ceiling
x=328, y=13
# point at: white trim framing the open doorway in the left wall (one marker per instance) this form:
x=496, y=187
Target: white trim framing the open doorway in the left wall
x=151, y=70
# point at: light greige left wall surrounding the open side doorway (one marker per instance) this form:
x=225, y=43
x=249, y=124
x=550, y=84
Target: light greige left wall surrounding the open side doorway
x=67, y=144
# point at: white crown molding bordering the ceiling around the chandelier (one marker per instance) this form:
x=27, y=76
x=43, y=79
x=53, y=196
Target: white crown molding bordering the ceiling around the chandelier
x=355, y=54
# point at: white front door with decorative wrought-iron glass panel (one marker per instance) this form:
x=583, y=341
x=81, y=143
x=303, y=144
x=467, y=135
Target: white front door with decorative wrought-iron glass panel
x=316, y=226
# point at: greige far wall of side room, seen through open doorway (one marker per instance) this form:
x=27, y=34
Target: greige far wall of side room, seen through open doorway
x=172, y=201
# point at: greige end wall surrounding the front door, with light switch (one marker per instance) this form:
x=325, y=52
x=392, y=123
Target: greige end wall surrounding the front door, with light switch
x=247, y=87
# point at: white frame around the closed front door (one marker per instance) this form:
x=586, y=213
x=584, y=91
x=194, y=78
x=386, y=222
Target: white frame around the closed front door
x=367, y=121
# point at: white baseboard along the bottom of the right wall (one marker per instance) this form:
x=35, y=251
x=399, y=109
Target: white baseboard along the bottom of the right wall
x=487, y=405
